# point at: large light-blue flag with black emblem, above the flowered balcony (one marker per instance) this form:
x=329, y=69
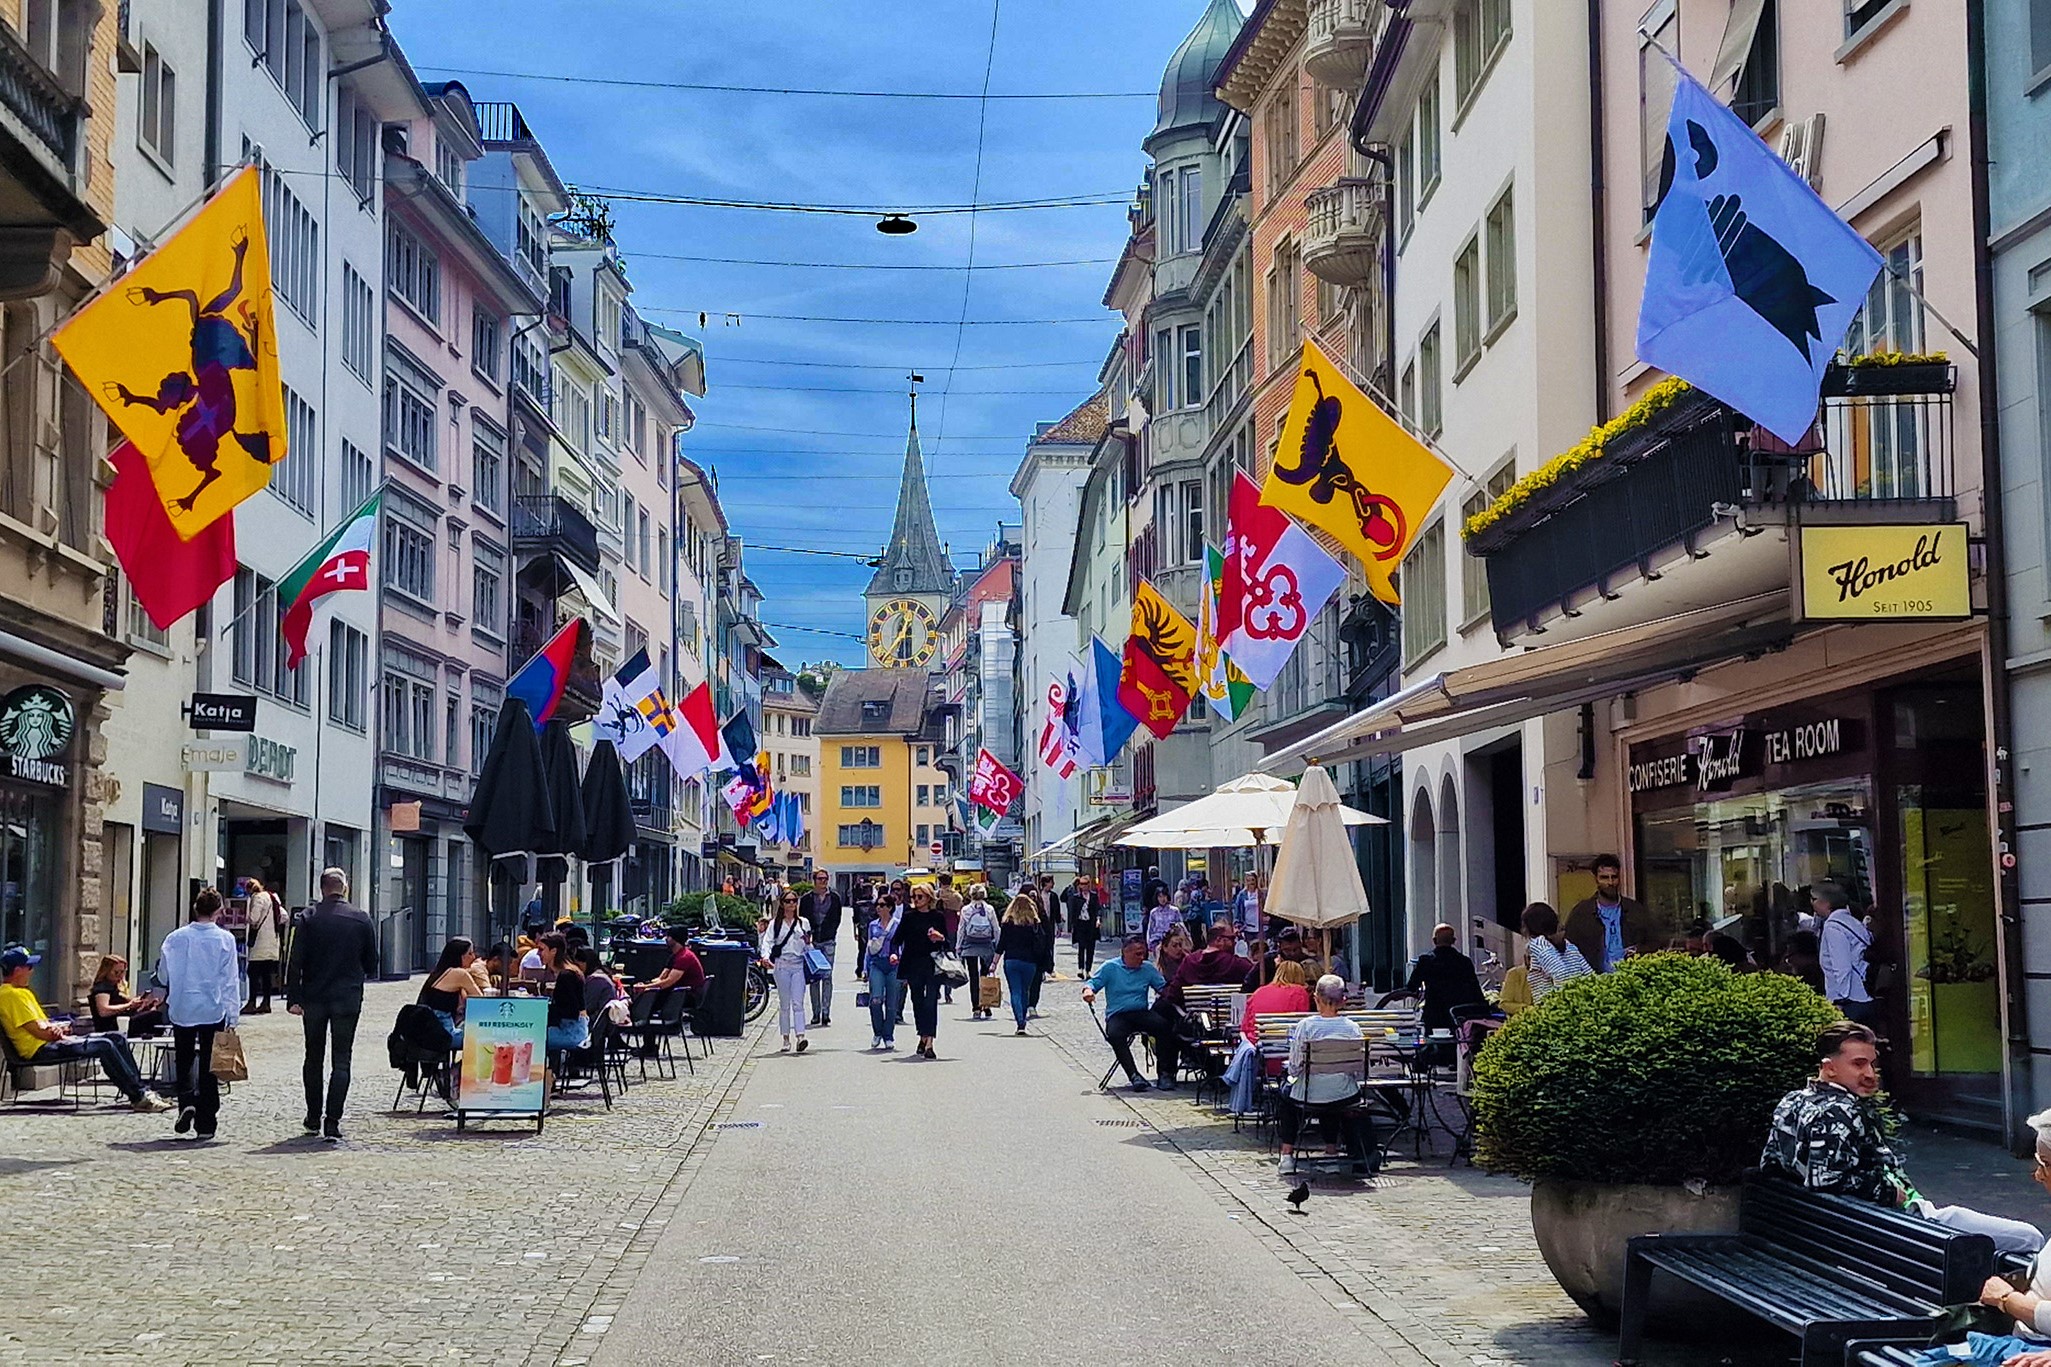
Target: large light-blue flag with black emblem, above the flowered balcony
x=1753, y=280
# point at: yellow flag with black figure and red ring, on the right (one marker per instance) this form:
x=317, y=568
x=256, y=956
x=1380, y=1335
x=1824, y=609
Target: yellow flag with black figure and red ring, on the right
x=1351, y=470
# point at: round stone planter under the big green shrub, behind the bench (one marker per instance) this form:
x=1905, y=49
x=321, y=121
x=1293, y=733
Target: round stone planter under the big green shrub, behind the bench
x=1584, y=1229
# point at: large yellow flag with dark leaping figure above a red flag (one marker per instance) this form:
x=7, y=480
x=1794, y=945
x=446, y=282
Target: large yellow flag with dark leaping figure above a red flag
x=184, y=358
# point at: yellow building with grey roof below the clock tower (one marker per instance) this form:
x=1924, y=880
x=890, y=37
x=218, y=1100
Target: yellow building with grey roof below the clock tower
x=873, y=729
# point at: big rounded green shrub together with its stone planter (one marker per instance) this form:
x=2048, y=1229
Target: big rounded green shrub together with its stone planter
x=1634, y=1102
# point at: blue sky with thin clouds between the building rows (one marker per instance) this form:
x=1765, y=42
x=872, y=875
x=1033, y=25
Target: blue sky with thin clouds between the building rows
x=805, y=421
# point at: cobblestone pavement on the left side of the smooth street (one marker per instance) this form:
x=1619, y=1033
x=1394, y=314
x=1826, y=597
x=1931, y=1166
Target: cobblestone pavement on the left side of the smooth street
x=405, y=1245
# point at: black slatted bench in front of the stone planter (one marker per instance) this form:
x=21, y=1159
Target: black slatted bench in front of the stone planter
x=1824, y=1270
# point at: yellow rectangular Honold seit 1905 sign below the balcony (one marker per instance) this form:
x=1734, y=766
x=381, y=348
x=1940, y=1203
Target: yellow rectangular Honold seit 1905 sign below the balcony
x=1886, y=573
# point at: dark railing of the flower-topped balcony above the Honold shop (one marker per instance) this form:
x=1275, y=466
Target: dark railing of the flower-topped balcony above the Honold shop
x=1886, y=450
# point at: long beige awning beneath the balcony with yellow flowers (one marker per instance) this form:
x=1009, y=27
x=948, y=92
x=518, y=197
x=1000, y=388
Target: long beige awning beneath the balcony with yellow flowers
x=1547, y=679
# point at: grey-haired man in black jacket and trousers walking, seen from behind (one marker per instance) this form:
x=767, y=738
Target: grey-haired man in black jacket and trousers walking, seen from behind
x=333, y=954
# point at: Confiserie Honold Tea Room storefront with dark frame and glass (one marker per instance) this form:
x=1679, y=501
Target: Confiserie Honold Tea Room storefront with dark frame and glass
x=1880, y=792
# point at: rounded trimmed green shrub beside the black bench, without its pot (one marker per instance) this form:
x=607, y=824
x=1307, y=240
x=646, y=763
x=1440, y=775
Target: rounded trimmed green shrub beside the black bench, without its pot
x=1660, y=1073
